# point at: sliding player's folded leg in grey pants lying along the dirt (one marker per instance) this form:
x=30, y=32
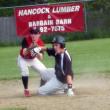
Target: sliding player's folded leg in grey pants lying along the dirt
x=51, y=87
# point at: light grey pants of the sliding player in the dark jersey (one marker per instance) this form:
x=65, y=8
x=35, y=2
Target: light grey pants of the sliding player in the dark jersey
x=52, y=84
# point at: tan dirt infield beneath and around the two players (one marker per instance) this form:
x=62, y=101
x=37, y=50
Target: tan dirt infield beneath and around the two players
x=92, y=93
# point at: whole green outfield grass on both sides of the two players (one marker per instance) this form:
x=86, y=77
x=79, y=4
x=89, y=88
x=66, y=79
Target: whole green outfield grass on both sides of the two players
x=92, y=56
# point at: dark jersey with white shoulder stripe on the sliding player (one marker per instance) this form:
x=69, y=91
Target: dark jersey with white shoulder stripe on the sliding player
x=63, y=64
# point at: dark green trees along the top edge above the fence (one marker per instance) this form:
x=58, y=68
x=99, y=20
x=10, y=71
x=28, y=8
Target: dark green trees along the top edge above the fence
x=99, y=5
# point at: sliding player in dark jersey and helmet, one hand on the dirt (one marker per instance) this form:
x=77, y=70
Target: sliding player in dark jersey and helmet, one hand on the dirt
x=62, y=74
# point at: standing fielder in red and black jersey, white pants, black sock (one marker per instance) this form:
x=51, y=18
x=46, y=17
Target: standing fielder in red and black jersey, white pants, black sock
x=30, y=56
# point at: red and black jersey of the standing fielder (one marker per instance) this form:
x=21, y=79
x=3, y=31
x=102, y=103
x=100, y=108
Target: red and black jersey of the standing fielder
x=26, y=42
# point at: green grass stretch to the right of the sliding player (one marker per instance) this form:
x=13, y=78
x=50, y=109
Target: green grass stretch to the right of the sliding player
x=92, y=56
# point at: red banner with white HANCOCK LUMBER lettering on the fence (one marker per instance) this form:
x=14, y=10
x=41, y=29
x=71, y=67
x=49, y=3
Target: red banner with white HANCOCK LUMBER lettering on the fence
x=66, y=17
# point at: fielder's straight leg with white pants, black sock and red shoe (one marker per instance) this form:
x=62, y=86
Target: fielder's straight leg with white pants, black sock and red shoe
x=25, y=74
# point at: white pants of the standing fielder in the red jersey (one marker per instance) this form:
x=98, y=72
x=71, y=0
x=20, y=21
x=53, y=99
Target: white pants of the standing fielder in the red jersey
x=45, y=73
